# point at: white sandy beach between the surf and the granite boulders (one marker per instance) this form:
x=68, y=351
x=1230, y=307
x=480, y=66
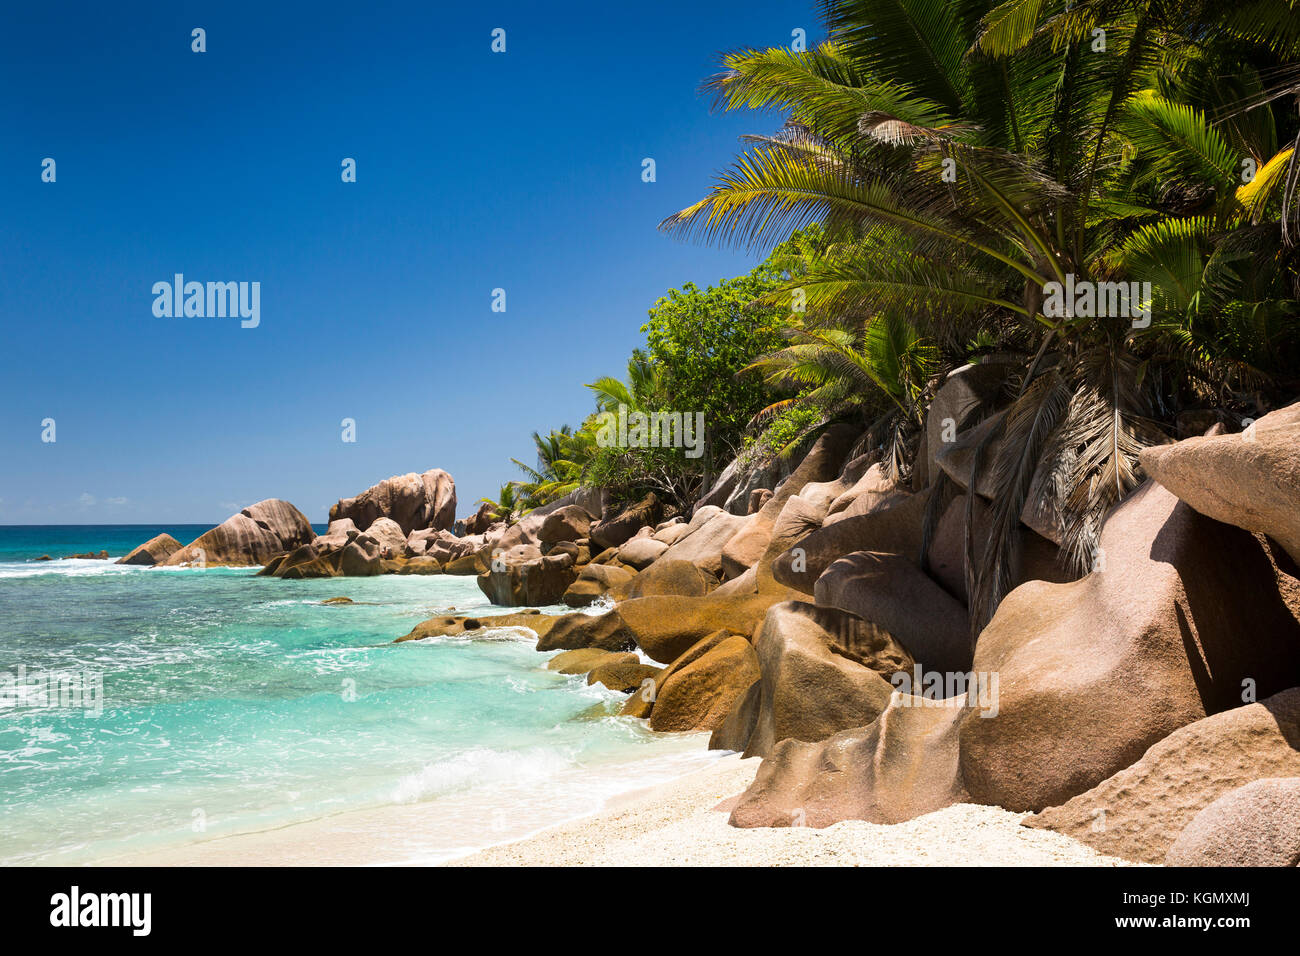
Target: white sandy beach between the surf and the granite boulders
x=673, y=824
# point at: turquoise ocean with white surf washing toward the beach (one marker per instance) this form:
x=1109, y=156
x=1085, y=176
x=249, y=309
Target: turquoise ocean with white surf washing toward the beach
x=144, y=710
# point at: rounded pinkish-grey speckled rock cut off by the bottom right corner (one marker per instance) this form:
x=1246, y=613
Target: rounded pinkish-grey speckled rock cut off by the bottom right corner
x=1256, y=825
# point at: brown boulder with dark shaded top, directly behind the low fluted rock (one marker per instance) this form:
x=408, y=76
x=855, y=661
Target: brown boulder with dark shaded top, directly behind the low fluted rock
x=824, y=671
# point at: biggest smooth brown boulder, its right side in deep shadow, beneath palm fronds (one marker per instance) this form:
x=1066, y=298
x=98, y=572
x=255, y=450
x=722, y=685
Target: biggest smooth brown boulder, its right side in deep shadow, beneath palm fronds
x=1182, y=613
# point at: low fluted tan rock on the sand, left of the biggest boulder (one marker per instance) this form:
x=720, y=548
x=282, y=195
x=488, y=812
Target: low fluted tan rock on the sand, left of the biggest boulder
x=902, y=765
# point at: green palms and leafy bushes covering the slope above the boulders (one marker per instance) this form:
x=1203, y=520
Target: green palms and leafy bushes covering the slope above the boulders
x=939, y=172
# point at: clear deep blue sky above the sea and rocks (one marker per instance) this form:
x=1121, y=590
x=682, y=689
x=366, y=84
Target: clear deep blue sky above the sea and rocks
x=475, y=171
